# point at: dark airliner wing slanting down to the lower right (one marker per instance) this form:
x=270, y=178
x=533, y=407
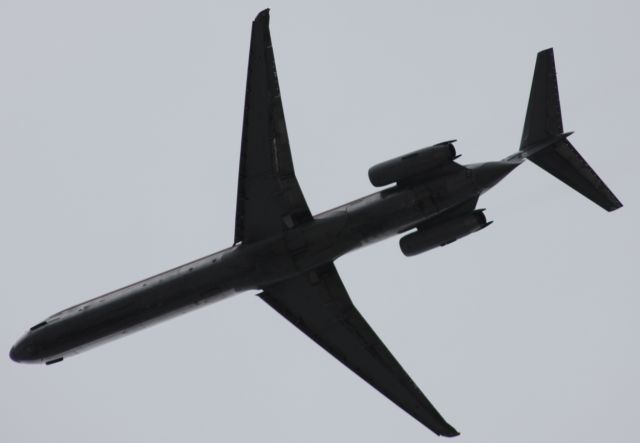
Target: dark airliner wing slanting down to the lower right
x=318, y=304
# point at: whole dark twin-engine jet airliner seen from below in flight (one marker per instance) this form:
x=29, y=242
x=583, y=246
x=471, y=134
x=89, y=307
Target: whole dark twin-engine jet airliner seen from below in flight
x=283, y=250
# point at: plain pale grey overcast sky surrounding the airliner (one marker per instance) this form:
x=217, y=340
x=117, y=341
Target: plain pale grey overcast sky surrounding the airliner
x=120, y=131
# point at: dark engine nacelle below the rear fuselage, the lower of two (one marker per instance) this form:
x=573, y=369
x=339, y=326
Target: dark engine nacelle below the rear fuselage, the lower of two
x=442, y=234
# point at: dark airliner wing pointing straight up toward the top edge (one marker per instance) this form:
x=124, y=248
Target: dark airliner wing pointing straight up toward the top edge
x=269, y=197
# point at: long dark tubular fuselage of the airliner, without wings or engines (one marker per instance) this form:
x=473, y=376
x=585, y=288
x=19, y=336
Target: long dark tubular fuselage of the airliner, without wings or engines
x=330, y=235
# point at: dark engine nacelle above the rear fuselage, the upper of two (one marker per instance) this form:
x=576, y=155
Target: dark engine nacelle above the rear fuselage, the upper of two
x=417, y=162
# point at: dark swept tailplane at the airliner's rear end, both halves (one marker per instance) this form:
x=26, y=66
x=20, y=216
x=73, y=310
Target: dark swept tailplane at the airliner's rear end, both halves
x=544, y=143
